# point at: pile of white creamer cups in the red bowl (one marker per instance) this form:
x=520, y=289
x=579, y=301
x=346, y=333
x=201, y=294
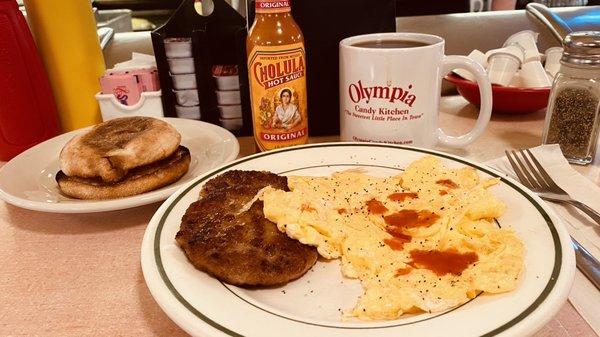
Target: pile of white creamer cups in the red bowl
x=518, y=63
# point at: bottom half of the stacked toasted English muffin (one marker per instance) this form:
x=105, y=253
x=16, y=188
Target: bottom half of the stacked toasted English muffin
x=139, y=180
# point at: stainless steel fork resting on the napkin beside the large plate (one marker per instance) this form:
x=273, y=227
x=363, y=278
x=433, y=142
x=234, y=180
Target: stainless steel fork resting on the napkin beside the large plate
x=537, y=179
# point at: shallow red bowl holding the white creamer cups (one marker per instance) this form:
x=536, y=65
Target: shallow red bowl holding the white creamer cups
x=507, y=100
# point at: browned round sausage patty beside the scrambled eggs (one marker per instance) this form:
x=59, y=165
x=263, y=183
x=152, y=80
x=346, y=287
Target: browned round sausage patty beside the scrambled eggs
x=241, y=248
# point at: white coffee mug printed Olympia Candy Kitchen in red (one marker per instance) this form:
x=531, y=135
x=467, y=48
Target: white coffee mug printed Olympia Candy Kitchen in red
x=392, y=95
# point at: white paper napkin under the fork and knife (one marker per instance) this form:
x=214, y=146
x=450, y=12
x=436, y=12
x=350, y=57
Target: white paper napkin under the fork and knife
x=584, y=296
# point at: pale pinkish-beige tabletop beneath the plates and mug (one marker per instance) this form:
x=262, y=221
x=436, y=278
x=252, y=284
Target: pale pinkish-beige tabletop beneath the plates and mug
x=80, y=275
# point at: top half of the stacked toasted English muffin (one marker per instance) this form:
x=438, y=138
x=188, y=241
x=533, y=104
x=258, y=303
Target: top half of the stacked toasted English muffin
x=111, y=149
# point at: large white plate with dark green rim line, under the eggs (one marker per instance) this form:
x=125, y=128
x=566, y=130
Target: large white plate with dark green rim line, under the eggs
x=309, y=306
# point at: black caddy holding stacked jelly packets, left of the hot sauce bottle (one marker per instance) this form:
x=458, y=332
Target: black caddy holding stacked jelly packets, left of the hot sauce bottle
x=218, y=38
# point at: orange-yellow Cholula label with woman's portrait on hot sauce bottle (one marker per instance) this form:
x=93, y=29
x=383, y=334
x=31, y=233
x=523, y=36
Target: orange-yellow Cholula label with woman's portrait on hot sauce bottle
x=278, y=92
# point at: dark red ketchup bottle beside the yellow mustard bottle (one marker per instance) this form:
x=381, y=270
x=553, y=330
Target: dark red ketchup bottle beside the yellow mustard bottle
x=27, y=109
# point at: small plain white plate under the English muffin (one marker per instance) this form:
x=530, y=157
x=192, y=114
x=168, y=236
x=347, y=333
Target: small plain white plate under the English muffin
x=28, y=180
